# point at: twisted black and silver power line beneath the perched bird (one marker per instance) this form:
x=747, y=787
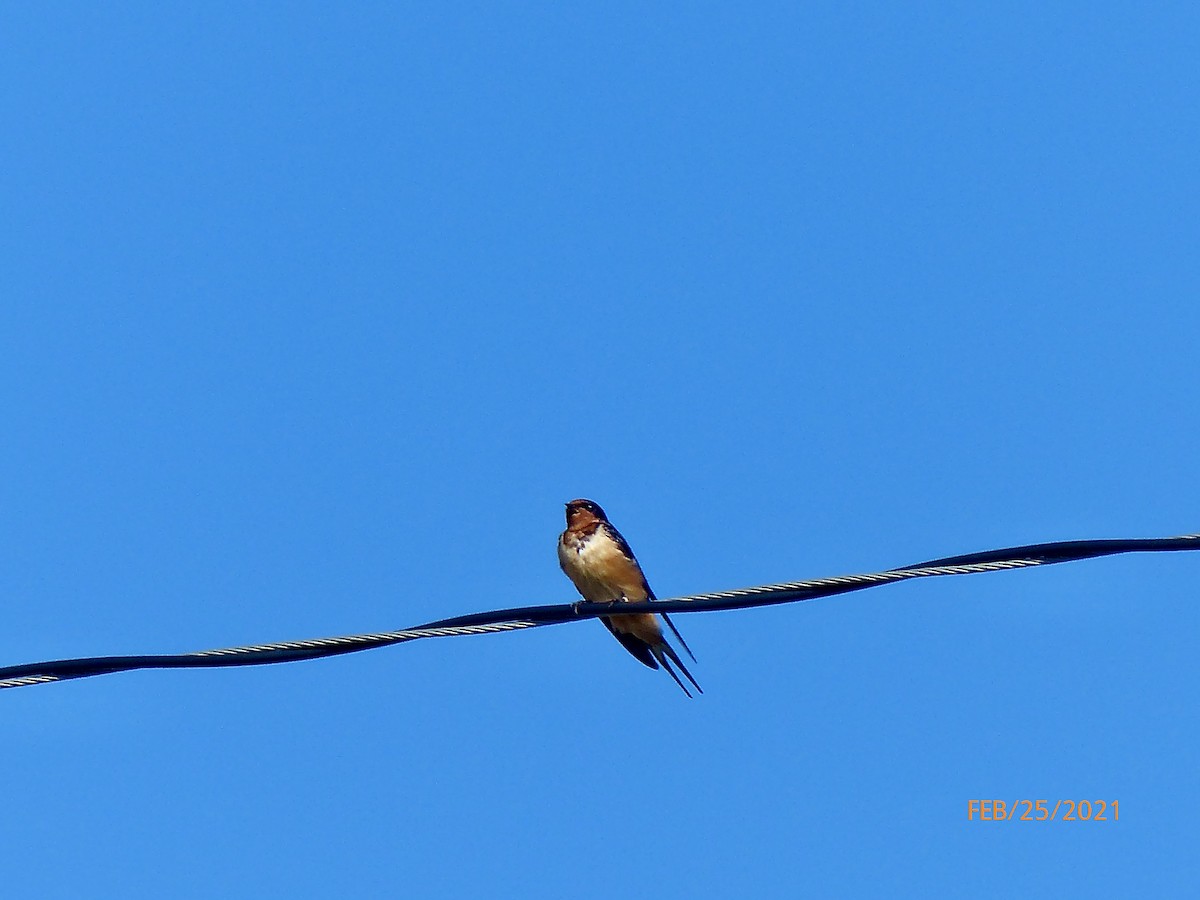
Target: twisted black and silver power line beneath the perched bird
x=538, y=616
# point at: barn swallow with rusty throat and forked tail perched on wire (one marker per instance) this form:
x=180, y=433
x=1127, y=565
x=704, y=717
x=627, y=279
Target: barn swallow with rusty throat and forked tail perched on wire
x=605, y=571
